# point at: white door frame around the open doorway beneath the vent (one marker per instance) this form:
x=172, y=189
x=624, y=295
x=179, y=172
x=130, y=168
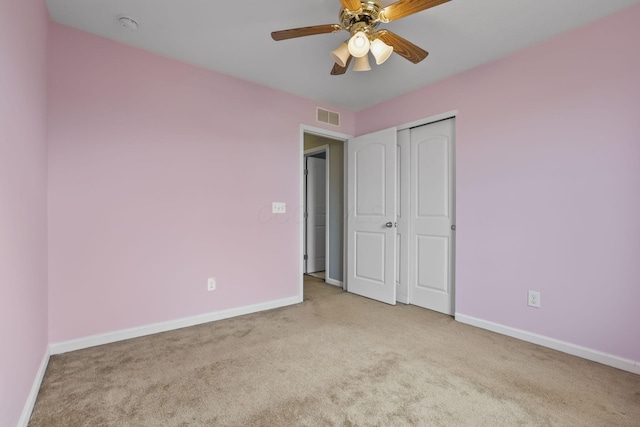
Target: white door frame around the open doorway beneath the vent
x=329, y=134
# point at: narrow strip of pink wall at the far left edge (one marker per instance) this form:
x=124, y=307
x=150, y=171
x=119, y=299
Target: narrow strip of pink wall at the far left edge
x=23, y=234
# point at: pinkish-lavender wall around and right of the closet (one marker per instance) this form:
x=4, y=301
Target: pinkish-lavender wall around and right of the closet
x=548, y=184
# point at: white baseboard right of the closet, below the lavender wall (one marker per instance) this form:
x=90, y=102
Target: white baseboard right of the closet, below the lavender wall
x=565, y=347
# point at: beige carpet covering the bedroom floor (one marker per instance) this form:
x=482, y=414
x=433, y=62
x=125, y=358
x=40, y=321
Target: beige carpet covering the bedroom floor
x=336, y=360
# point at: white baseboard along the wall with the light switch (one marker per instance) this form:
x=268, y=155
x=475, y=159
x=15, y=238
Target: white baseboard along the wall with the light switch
x=125, y=334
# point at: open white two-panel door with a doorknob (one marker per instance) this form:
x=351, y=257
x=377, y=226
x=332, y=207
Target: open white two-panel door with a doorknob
x=371, y=235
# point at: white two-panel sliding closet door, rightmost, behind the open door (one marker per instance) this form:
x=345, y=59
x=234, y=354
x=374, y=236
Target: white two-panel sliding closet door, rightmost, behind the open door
x=432, y=216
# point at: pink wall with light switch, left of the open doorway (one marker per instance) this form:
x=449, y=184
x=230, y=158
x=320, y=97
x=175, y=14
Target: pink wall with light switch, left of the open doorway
x=161, y=175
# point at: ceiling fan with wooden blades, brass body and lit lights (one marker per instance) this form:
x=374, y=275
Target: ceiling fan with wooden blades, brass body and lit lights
x=361, y=19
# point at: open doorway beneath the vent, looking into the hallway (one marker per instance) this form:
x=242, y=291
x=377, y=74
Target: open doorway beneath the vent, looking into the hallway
x=316, y=144
